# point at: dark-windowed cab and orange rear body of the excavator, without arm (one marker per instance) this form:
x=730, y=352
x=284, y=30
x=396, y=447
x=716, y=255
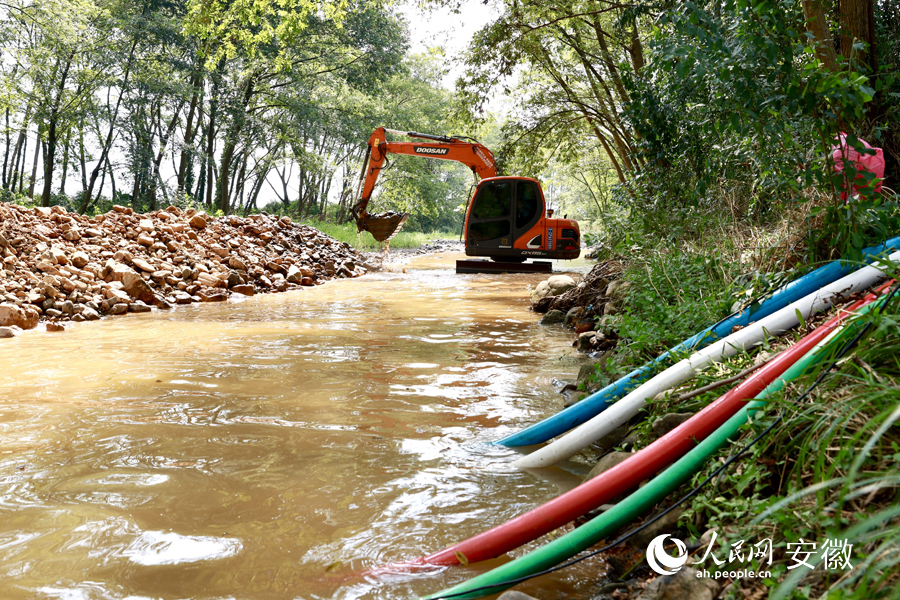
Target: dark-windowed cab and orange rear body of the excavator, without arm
x=508, y=221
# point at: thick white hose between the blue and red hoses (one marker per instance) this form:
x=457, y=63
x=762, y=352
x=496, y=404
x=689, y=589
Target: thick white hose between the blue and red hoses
x=620, y=412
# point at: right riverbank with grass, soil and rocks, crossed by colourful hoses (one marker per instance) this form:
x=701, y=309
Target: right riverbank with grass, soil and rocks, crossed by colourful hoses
x=842, y=434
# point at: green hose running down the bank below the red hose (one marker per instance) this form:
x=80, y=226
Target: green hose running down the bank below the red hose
x=647, y=496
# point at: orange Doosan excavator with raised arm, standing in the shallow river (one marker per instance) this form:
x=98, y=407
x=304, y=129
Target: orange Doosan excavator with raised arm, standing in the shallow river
x=506, y=219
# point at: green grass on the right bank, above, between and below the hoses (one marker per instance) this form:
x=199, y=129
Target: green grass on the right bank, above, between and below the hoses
x=829, y=471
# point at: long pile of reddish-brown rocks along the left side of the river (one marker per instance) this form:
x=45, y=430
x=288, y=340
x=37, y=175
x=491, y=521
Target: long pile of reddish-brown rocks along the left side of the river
x=61, y=266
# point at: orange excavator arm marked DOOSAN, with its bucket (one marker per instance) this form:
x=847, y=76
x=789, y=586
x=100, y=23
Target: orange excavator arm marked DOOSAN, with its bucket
x=470, y=153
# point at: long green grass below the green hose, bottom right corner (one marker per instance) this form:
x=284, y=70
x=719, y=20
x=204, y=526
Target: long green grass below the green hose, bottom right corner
x=829, y=470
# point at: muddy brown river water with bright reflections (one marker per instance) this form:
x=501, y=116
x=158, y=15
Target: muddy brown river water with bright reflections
x=278, y=446
